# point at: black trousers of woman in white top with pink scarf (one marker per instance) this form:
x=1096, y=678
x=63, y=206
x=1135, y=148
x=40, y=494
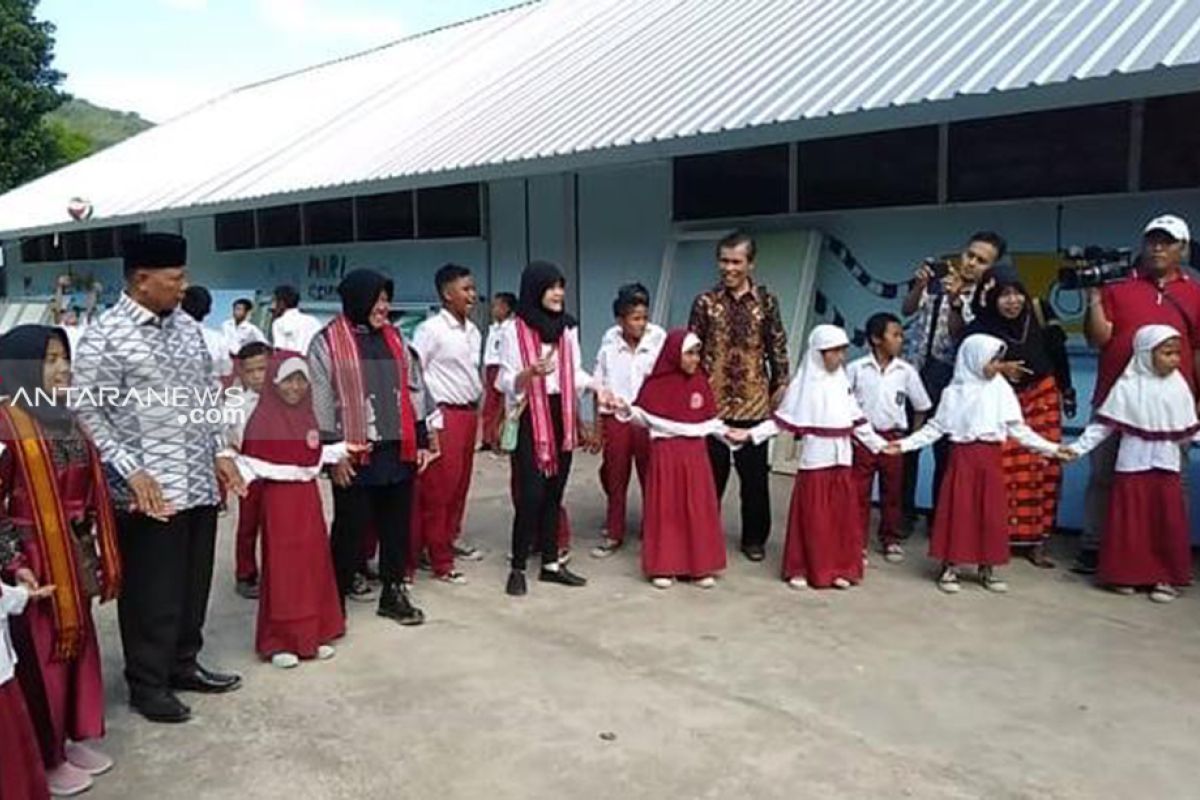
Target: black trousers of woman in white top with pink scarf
x=538, y=497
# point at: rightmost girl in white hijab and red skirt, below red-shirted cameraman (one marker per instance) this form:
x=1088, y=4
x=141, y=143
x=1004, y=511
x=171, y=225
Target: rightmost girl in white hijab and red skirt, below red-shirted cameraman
x=1145, y=540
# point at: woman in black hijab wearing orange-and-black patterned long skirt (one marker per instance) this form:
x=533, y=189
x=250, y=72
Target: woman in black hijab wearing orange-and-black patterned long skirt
x=1036, y=341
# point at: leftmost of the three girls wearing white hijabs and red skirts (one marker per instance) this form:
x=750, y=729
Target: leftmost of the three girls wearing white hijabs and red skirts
x=825, y=525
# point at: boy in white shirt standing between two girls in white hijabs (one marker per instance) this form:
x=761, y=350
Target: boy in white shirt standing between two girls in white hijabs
x=885, y=384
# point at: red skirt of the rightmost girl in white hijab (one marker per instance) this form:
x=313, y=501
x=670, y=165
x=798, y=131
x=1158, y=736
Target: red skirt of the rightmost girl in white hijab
x=1147, y=538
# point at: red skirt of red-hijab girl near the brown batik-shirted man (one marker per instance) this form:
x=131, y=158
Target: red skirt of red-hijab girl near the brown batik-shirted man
x=682, y=534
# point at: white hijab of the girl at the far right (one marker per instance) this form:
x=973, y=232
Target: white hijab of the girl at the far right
x=1143, y=402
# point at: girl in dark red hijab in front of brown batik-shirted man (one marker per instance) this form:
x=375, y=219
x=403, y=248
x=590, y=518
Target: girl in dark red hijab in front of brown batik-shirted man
x=682, y=534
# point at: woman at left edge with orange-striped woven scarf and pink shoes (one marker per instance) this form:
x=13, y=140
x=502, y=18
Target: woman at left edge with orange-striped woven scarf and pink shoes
x=57, y=528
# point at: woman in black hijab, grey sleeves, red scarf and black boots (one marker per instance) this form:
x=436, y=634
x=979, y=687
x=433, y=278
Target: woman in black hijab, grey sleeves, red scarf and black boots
x=368, y=389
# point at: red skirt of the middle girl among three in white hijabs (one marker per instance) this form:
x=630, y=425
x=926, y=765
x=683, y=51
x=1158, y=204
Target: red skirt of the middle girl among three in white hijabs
x=970, y=522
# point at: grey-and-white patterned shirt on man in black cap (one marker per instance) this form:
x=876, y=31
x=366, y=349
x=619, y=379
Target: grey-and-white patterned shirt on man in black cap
x=145, y=389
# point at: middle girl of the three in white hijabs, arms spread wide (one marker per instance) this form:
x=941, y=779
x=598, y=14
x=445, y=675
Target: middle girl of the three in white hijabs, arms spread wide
x=979, y=412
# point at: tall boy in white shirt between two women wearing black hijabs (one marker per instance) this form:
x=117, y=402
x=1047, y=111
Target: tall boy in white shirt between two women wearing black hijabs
x=449, y=346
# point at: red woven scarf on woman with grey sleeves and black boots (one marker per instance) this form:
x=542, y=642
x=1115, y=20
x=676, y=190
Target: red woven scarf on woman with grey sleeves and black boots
x=351, y=388
